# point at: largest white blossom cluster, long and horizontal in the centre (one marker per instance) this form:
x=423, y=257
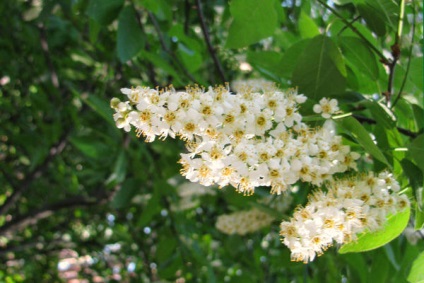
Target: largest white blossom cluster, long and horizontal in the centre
x=253, y=138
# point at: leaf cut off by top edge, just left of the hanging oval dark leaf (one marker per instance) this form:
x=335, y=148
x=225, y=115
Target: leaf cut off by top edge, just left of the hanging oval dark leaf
x=104, y=11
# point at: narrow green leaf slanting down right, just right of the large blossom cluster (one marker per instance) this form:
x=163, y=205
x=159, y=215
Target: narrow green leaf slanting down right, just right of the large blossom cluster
x=355, y=129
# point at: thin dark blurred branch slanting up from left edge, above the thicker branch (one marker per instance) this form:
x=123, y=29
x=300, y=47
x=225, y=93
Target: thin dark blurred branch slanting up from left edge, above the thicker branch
x=56, y=149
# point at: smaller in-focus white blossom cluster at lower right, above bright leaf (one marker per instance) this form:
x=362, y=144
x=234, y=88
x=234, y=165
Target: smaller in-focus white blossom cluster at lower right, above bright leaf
x=347, y=208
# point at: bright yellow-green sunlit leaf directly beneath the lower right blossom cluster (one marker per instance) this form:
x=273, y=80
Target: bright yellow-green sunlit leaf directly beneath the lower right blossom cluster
x=371, y=240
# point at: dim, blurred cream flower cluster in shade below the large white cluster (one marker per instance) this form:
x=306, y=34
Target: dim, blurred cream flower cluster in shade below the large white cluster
x=243, y=222
